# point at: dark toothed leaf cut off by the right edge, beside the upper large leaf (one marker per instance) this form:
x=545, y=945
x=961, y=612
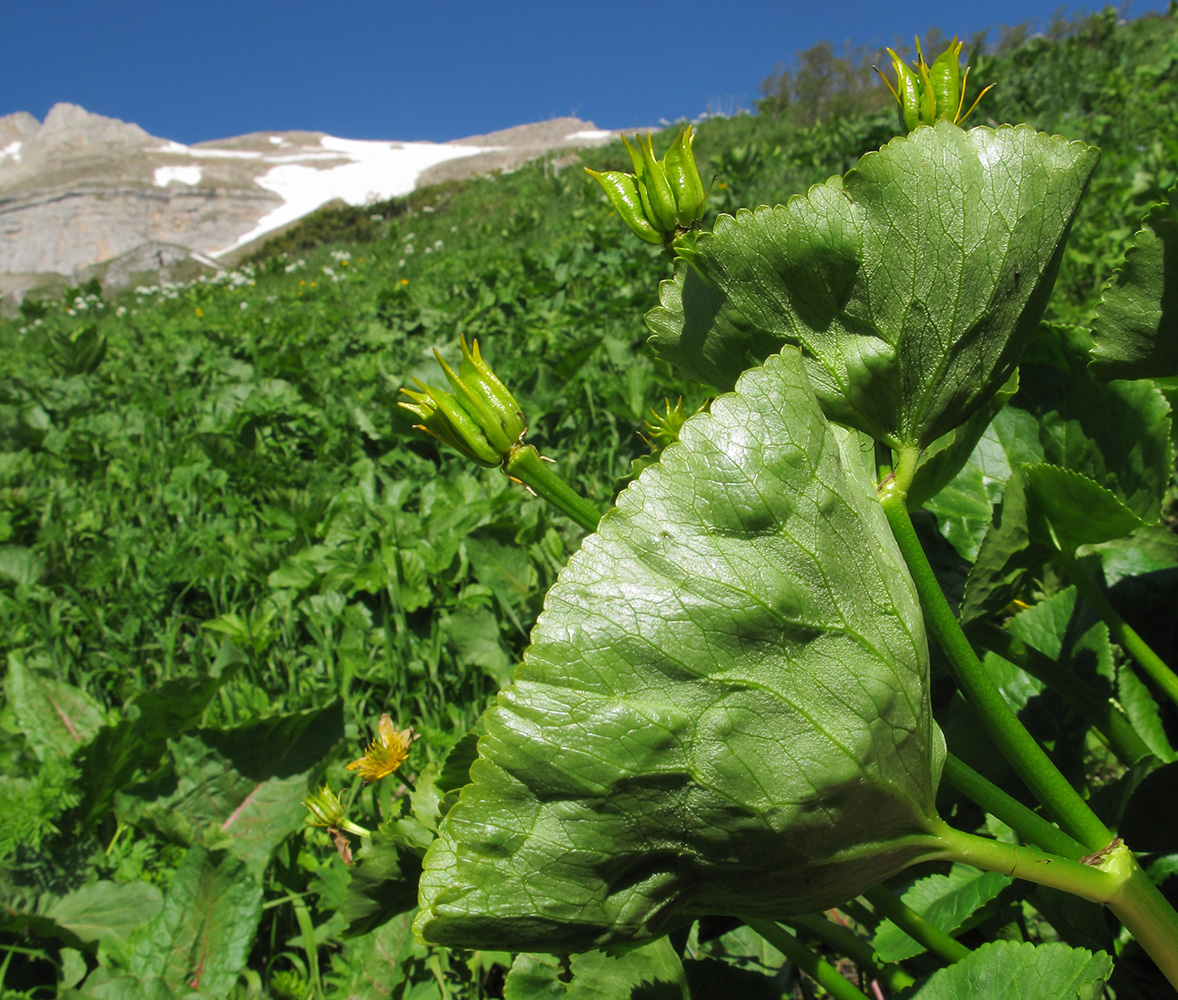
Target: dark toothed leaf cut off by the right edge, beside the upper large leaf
x=1136, y=327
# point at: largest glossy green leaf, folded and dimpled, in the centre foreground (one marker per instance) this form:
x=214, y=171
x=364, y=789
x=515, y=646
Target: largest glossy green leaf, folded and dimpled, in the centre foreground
x=724, y=710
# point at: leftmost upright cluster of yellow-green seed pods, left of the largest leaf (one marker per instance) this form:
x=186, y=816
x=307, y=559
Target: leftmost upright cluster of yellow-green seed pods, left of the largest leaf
x=481, y=419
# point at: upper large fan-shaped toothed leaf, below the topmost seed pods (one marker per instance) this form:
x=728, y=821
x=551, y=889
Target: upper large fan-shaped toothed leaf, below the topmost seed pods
x=911, y=284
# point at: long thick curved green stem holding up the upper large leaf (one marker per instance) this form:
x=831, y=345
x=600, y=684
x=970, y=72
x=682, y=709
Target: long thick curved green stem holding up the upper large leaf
x=1025, y=756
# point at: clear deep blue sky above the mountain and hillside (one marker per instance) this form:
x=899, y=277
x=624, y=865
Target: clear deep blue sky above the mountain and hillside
x=436, y=69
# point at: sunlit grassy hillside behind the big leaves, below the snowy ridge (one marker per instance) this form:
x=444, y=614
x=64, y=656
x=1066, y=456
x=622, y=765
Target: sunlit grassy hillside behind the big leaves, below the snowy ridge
x=224, y=552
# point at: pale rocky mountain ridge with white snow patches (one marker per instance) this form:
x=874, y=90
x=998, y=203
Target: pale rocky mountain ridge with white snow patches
x=82, y=189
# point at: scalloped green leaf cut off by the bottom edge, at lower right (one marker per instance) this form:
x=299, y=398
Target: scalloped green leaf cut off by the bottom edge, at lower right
x=1012, y=971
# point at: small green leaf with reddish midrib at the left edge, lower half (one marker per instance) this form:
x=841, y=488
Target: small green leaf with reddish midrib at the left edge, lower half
x=56, y=718
